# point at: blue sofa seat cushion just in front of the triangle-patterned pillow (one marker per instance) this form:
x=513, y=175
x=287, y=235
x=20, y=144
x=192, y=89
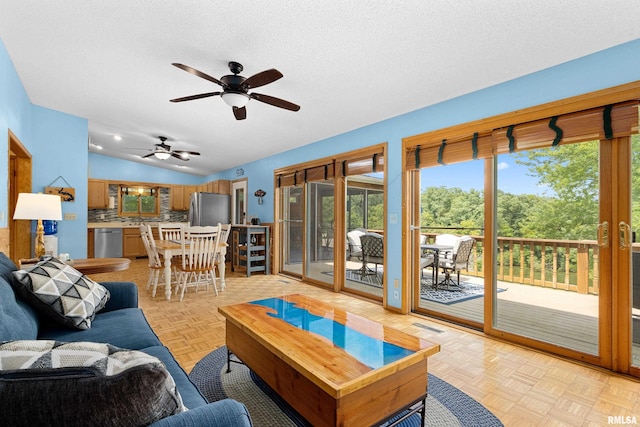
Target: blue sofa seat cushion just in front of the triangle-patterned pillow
x=125, y=328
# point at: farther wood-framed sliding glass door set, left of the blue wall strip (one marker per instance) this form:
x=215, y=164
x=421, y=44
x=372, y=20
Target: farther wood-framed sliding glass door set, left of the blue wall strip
x=319, y=204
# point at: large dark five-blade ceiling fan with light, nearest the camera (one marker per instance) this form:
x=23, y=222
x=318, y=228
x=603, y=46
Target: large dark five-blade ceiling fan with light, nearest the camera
x=236, y=89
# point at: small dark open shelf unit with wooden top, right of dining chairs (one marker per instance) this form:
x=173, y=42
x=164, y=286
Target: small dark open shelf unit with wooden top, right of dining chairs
x=250, y=248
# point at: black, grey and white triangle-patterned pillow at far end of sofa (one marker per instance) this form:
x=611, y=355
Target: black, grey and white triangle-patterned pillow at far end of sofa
x=61, y=292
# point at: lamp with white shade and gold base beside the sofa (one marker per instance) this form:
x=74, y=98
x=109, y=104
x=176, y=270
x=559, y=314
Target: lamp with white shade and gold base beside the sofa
x=38, y=207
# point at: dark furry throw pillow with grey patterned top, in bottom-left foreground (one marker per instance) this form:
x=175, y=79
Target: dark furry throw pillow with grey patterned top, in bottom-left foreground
x=80, y=384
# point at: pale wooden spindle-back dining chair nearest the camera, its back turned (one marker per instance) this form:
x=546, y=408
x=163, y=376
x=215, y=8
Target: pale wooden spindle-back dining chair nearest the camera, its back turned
x=199, y=250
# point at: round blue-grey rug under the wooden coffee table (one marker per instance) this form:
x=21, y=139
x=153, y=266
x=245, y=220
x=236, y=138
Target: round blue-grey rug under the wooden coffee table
x=446, y=405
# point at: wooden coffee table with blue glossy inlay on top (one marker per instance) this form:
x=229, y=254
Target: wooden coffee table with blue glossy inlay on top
x=334, y=367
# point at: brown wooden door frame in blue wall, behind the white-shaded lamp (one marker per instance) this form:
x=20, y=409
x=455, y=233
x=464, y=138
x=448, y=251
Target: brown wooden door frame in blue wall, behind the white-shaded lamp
x=20, y=173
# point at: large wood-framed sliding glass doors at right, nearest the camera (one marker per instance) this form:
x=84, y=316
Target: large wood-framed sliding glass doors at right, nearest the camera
x=556, y=249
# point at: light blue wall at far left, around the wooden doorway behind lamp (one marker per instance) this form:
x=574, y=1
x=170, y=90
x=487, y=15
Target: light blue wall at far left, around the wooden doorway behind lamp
x=58, y=144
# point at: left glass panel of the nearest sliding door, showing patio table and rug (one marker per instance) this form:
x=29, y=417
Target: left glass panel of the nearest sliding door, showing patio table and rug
x=451, y=205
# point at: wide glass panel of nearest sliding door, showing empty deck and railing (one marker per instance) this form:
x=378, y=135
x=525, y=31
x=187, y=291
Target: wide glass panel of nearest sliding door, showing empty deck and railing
x=549, y=254
